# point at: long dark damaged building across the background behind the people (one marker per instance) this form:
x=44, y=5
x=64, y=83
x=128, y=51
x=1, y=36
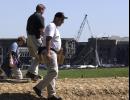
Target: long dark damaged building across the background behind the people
x=110, y=51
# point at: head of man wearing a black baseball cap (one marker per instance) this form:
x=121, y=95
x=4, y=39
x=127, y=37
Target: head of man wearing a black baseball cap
x=59, y=18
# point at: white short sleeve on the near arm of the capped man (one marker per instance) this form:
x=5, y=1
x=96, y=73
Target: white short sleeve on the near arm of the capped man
x=50, y=30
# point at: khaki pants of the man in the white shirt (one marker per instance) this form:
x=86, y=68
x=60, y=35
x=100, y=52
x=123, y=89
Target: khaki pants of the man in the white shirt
x=50, y=79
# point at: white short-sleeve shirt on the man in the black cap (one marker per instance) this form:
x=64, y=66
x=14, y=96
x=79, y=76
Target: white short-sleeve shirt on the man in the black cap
x=52, y=31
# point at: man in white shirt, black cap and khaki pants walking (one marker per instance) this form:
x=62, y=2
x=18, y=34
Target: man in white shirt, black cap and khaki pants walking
x=51, y=45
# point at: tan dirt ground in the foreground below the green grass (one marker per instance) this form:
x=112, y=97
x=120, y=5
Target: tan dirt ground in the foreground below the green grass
x=115, y=88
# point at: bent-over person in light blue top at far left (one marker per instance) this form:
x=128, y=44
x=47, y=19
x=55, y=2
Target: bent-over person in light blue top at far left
x=11, y=65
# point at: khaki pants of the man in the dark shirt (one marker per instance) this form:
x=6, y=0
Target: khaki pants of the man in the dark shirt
x=33, y=45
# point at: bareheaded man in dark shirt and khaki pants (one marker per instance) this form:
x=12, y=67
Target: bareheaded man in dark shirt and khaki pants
x=35, y=29
